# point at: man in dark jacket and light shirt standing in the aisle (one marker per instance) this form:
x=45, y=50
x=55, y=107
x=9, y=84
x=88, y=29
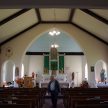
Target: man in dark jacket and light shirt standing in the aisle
x=53, y=89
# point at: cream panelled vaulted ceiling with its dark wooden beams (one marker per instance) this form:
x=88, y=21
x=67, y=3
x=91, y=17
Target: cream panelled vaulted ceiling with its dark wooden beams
x=14, y=22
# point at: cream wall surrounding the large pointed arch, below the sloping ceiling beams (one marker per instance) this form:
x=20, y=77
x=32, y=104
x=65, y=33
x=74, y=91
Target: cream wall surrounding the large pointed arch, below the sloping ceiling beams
x=93, y=48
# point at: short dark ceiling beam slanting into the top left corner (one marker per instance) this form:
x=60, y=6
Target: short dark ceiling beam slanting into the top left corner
x=13, y=16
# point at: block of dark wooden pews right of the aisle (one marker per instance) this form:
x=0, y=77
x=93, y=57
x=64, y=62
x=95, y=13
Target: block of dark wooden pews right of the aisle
x=85, y=97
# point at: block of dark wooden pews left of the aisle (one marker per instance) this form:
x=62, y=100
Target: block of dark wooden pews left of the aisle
x=22, y=97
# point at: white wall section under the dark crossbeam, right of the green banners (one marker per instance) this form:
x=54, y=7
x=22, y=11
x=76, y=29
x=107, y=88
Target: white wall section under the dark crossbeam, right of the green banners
x=74, y=64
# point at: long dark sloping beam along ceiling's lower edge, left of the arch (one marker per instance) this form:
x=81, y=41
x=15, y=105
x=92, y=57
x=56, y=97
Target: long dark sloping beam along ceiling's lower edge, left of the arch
x=18, y=34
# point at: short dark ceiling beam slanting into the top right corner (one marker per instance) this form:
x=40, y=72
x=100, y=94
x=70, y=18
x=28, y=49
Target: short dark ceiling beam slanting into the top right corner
x=95, y=16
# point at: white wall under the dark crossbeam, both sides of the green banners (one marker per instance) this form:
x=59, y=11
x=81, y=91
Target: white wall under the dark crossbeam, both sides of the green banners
x=72, y=64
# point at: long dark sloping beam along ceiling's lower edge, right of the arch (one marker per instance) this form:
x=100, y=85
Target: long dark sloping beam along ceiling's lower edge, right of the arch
x=91, y=34
